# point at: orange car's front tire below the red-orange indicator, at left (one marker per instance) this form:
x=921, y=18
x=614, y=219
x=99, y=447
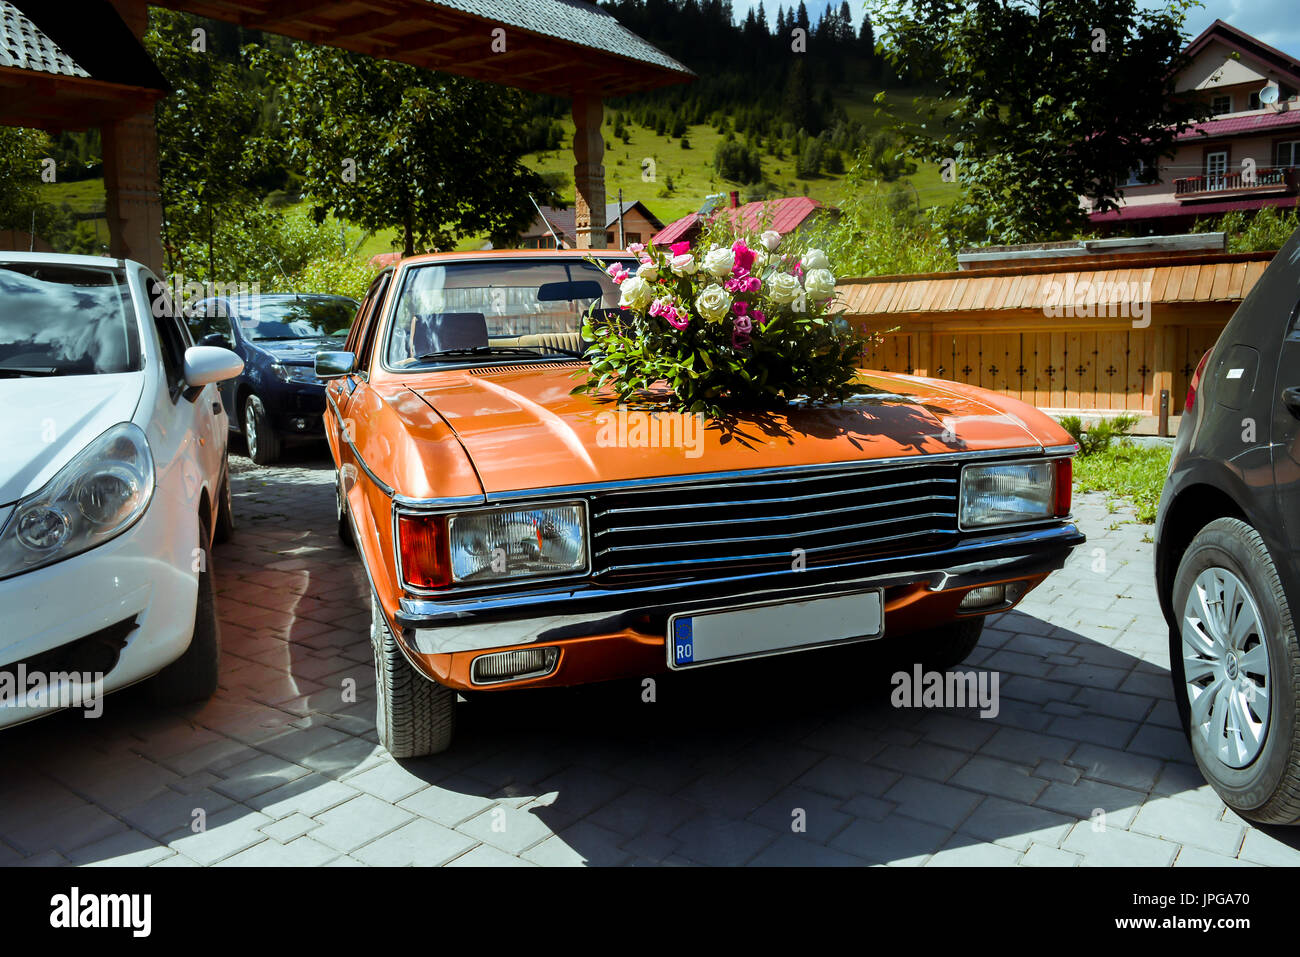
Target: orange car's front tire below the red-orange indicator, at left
x=414, y=716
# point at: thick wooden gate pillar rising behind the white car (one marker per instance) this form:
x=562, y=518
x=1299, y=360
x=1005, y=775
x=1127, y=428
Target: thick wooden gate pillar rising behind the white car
x=135, y=206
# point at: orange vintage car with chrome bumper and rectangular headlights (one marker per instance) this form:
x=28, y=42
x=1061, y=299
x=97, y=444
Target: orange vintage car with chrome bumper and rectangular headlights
x=517, y=535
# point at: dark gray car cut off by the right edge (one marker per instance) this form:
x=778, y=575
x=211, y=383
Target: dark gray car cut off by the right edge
x=1228, y=553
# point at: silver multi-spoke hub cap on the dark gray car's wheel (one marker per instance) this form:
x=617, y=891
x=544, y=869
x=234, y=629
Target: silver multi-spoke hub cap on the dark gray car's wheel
x=1227, y=668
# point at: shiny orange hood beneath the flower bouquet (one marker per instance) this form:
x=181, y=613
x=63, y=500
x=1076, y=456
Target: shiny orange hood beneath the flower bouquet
x=523, y=430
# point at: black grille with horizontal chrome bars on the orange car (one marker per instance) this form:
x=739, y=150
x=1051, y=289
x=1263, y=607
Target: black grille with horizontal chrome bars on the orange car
x=756, y=525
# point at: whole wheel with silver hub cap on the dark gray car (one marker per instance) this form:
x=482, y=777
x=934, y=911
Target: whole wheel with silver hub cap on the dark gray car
x=1236, y=665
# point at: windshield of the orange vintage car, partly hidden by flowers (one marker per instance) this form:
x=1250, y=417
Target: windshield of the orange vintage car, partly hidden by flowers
x=497, y=308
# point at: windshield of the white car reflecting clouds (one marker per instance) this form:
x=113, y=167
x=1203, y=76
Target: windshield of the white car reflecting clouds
x=66, y=321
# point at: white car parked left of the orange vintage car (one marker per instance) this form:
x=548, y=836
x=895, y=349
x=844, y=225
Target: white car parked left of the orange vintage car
x=114, y=486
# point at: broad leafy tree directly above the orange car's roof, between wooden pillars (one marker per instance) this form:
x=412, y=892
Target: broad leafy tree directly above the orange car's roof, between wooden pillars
x=387, y=145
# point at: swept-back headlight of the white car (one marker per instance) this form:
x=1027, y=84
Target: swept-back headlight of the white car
x=96, y=497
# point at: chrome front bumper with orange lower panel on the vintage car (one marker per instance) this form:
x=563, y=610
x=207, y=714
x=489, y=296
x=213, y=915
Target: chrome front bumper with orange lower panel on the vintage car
x=616, y=633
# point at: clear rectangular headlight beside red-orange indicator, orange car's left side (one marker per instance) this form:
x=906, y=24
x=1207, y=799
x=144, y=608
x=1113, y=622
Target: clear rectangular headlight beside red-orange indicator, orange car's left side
x=502, y=544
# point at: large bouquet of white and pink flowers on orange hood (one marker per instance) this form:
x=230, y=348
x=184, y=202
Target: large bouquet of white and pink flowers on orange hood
x=725, y=328
